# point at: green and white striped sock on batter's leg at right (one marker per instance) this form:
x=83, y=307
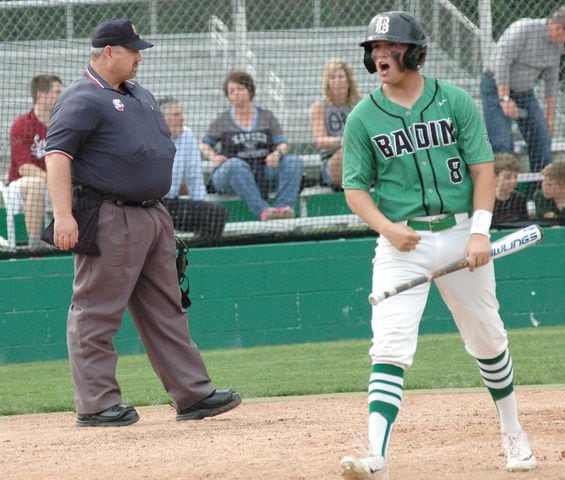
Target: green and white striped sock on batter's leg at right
x=498, y=377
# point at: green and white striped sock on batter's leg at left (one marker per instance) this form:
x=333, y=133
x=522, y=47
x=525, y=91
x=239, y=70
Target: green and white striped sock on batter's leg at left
x=385, y=395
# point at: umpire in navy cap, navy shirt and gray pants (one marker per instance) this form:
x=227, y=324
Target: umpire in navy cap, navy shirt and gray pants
x=109, y=159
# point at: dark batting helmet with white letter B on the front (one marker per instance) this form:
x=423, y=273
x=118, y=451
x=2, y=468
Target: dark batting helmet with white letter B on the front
x=399, y=27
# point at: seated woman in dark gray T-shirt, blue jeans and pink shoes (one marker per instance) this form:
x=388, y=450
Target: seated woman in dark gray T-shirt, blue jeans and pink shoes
x=253, y=157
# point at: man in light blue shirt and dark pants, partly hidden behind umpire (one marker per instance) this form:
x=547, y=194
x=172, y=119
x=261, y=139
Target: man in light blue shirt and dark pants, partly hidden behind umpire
x=194, y=214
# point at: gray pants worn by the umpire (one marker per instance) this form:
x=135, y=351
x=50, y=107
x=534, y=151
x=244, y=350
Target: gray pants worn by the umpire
x=136, y=270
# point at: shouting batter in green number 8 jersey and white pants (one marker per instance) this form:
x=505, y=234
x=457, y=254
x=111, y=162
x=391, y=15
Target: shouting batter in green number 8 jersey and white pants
x=422, y=143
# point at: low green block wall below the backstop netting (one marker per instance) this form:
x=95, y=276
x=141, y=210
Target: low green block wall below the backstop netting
x=270, y=294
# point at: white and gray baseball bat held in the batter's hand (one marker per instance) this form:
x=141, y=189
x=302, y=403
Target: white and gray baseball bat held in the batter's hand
x=511, y=243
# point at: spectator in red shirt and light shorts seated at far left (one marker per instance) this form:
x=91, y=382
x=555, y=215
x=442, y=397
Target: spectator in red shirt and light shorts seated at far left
x=27, y=177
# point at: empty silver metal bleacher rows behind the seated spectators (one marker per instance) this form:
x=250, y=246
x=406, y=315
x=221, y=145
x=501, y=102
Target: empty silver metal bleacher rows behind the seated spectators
x=287, y=68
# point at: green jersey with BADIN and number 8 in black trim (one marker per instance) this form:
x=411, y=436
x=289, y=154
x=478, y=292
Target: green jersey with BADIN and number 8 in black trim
x=417, y=159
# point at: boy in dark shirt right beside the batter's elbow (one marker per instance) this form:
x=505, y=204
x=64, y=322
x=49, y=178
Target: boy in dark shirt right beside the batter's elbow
x=510, y=204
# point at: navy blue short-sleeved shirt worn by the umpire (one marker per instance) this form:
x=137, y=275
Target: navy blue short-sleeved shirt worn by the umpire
x=118, y=142
